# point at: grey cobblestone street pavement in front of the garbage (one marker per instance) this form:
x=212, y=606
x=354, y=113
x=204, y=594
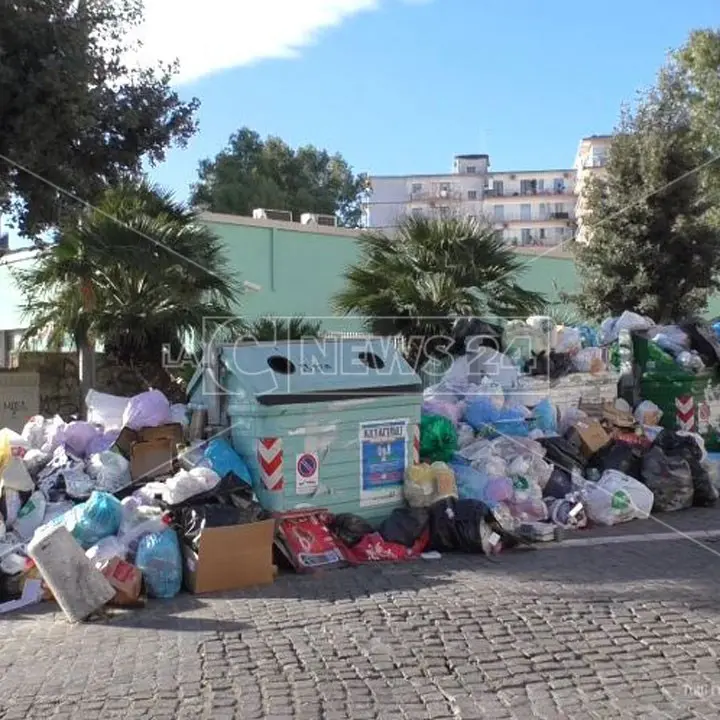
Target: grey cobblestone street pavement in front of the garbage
x=602, y=630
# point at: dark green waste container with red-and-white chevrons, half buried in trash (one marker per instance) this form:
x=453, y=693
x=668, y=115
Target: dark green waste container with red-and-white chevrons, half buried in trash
x=689, y=401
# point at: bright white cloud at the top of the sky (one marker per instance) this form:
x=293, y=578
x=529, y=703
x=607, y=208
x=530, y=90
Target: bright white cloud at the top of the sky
x=207, y=36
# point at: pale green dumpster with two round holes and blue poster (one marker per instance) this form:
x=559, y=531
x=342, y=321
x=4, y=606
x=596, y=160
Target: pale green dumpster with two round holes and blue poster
x=321, y=423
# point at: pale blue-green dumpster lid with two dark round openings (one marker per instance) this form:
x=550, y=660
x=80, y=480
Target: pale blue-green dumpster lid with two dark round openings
x=317, y=370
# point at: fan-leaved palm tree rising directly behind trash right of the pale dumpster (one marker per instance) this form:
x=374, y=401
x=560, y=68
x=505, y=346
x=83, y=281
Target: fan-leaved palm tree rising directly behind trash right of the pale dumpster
x=417, y=281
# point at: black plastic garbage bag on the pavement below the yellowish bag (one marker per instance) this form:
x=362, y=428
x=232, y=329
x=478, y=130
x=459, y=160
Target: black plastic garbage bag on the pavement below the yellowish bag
x=465, y=526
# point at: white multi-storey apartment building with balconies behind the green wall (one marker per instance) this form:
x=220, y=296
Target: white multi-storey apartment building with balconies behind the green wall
x=530, y=207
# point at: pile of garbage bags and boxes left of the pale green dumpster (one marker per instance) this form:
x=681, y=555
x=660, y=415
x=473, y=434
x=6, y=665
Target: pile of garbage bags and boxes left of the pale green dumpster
x=112, y=509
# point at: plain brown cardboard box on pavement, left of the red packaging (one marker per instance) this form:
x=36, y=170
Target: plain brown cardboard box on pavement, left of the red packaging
x=231, y=558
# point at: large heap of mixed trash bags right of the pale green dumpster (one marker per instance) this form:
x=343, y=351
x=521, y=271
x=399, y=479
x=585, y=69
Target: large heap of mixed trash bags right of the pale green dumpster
x=543, y=470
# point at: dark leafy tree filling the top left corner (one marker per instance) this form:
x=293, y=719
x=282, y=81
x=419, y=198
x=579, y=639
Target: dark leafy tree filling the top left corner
x=74, y=119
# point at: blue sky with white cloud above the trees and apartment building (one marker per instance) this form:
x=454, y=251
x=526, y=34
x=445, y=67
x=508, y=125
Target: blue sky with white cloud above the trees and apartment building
x=399, y=86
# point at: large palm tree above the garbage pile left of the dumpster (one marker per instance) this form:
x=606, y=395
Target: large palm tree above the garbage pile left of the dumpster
x=138, y=272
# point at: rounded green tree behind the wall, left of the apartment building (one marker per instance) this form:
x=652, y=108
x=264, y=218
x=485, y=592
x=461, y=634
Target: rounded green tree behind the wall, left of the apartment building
x=253, y=173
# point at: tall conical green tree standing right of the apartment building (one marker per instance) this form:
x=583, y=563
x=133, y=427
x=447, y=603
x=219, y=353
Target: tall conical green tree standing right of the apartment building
x=653, y=245
